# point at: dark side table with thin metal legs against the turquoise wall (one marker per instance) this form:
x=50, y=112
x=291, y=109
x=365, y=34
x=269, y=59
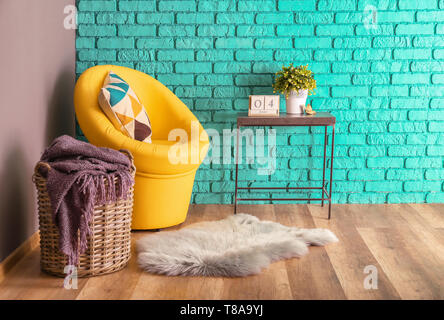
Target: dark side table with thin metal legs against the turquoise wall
x=320, y=119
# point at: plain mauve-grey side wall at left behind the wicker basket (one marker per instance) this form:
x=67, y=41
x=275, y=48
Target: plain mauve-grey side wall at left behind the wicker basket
x=37, y=75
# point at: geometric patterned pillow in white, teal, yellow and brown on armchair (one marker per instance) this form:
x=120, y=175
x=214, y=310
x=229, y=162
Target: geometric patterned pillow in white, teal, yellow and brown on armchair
x=122, y=107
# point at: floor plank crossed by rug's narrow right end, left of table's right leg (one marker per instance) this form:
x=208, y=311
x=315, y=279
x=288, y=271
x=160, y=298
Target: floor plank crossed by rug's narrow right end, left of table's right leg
x=312, y=276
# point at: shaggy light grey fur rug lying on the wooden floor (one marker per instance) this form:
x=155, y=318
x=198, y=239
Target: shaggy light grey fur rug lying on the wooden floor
x=237, y=246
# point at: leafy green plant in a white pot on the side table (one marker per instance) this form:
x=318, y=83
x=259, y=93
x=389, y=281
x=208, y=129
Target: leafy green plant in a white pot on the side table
x=296, y=83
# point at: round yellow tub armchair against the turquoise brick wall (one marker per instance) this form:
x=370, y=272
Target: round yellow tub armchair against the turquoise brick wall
x=163, y=189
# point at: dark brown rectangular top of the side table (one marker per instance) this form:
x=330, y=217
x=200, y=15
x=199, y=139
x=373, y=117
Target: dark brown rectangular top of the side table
x=284, y=119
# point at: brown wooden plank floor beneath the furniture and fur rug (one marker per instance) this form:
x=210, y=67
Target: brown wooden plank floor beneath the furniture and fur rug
x=404, y=242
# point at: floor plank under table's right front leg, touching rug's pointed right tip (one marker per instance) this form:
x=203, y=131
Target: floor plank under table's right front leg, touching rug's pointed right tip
x=351, y=255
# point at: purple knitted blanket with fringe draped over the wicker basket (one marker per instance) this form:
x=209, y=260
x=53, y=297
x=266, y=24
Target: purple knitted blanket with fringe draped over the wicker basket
x=75, y=183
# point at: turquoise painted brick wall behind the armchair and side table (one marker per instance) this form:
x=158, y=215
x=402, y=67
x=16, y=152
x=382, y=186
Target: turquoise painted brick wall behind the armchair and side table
x=384, y=85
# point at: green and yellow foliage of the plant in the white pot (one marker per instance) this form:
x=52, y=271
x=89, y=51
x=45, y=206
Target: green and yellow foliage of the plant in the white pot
x=293, y=79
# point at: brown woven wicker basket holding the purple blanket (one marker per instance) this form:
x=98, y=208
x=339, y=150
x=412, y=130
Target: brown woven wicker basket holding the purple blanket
x=109, y=245
